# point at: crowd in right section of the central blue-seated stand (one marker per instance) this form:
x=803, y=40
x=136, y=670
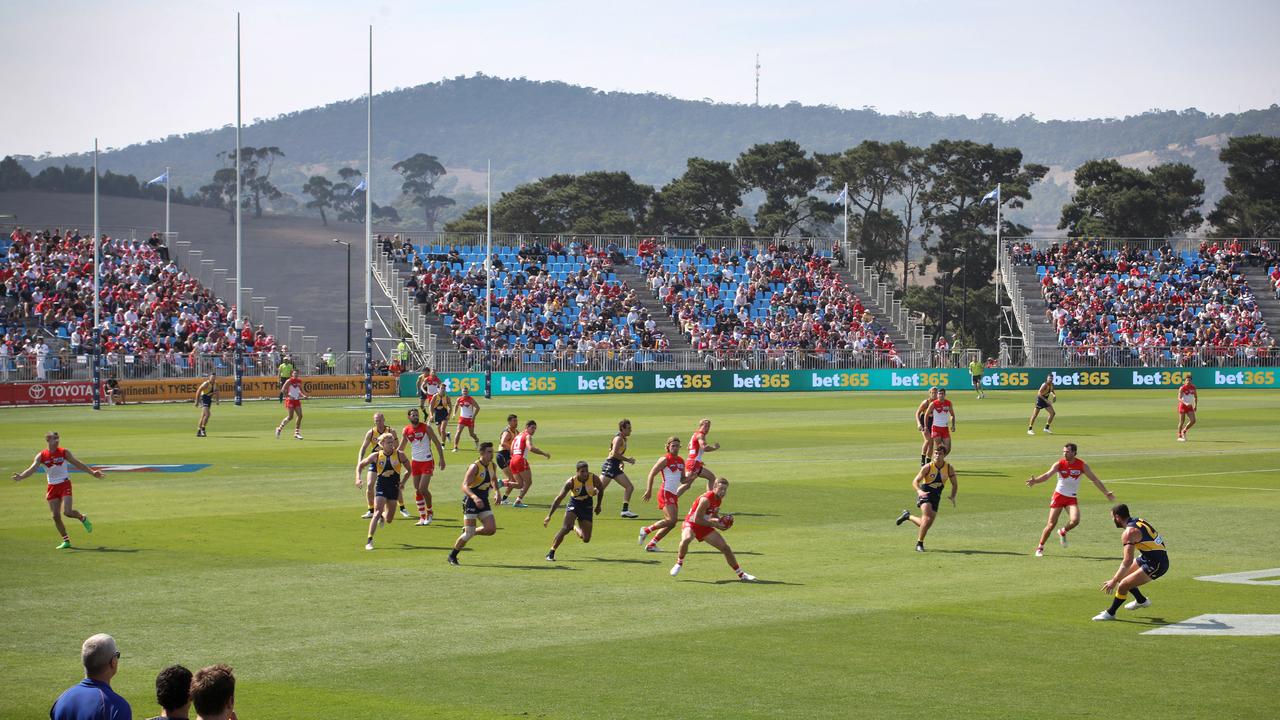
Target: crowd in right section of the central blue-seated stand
x=783, y=302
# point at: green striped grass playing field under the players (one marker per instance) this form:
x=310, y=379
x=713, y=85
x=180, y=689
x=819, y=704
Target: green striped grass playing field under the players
x=259, y=562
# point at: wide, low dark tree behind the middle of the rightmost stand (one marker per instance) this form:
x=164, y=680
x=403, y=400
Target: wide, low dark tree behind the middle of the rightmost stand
x=1117, y=202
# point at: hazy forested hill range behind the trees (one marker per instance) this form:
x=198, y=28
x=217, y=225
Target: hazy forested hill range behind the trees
x=532, y=130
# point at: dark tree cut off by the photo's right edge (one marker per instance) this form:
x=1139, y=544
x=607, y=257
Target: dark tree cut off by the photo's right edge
x=1251, y=207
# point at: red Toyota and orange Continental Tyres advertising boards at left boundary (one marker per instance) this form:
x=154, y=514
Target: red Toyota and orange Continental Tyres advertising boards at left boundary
x=185, y=389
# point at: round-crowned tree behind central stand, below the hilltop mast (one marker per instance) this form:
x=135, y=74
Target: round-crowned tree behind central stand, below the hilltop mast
x=788, y=177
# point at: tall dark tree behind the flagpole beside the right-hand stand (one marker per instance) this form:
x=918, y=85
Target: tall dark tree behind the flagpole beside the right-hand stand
x=963, y=174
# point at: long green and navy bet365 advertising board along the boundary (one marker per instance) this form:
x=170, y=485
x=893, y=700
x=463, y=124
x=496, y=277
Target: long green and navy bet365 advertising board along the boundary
x=806, y=381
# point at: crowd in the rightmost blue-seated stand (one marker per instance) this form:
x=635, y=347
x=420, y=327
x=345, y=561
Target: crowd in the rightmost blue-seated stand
x=1156, y=306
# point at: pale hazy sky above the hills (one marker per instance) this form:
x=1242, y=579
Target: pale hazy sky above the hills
x=132, y=71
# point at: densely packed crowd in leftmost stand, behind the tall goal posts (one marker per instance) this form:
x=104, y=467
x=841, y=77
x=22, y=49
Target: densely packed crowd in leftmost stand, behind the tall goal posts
x=154, y=315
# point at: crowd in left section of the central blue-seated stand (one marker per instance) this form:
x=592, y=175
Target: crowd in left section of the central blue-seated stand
x=561, y=306
